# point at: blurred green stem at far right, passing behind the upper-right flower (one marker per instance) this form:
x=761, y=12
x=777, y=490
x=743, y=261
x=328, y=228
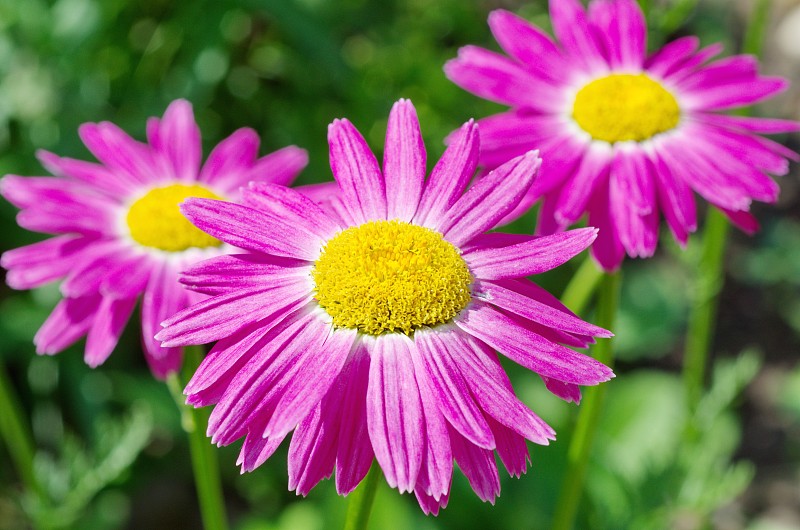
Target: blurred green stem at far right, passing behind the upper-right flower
x=710, y=275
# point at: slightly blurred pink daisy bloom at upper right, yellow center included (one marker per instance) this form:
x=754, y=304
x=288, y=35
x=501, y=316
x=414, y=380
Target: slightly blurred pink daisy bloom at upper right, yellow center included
x=625, y=136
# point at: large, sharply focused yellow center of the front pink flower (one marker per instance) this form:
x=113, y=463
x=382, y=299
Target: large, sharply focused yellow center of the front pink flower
x=391, y=276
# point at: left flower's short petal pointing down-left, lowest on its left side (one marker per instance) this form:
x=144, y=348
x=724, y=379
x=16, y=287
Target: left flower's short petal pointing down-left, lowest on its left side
x=68, y=322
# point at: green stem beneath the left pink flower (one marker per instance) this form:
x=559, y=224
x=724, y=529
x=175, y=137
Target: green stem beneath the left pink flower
x=204, y=456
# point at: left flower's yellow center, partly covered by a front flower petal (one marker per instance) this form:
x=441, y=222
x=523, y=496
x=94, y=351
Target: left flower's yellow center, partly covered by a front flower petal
x=156, y=221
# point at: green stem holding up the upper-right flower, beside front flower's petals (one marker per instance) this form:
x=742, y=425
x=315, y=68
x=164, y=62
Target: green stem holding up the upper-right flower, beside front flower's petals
x=580, y=446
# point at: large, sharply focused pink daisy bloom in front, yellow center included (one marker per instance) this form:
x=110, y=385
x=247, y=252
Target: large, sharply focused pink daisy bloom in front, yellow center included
x=371, y=332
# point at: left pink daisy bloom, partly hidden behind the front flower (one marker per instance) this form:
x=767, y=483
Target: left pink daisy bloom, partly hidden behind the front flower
x=119, y=232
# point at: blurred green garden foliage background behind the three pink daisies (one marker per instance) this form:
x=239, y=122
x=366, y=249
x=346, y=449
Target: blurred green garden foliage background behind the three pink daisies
x=111, y=449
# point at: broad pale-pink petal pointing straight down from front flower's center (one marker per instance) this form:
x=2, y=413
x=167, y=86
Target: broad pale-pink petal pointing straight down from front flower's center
x=394, y=412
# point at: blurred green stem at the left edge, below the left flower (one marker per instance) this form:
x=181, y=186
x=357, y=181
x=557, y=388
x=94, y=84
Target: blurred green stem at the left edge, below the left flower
x=16, y=433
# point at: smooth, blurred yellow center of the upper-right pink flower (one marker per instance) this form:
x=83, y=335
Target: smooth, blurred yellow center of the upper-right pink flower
x=623, y=107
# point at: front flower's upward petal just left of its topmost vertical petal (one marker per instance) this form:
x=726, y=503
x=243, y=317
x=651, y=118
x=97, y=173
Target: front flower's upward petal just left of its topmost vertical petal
x=356, y=170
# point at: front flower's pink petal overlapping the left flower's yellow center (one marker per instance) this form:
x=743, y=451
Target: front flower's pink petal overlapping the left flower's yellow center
x=251, y=229
